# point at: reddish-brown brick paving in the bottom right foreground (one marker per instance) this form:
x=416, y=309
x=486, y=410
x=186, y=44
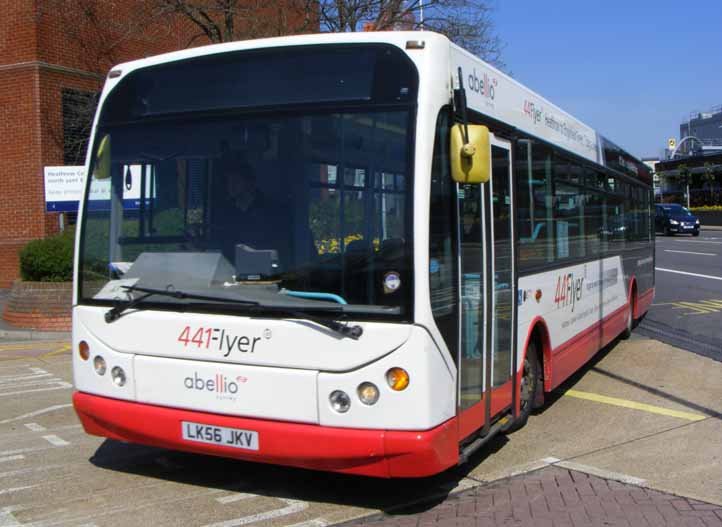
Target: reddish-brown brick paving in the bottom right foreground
x=554, y=497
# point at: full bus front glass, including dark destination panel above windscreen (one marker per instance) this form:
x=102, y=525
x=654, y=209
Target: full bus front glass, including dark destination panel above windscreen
x=271, y=176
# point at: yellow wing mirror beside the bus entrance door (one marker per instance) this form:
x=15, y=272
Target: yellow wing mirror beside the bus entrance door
x=470, y=161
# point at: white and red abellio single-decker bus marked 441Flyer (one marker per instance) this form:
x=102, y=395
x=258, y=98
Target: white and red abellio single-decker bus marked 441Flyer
x=366, y=253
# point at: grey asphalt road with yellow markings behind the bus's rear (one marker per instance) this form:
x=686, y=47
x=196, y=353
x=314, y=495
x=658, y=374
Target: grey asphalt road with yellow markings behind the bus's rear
x=687, y=309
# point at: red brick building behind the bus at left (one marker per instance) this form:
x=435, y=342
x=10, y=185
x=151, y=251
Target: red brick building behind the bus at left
x=54, y=55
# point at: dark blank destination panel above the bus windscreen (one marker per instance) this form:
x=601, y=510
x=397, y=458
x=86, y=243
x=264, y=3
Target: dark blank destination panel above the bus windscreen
x=268, y=77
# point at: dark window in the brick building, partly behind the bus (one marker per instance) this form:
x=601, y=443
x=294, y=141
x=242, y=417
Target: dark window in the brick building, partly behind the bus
x=78, y=111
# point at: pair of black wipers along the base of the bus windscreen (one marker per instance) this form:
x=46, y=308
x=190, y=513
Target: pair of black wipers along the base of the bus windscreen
x=353, y=332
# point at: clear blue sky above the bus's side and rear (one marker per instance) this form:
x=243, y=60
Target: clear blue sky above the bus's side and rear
x=633, y=69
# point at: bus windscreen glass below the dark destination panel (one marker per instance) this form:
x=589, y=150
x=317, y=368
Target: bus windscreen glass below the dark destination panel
x=311, y=205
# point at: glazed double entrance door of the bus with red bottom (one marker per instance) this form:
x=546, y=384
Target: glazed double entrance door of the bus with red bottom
x=487, y=299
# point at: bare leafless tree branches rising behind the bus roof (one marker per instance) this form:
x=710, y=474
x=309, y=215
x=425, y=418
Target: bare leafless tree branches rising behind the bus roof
x=466, y=22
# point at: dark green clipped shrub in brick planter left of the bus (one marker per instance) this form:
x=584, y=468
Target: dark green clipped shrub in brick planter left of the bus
x=48, y=260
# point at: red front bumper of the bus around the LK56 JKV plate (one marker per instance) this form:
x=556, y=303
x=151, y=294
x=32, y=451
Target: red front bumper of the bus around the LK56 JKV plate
x=379, y=453
